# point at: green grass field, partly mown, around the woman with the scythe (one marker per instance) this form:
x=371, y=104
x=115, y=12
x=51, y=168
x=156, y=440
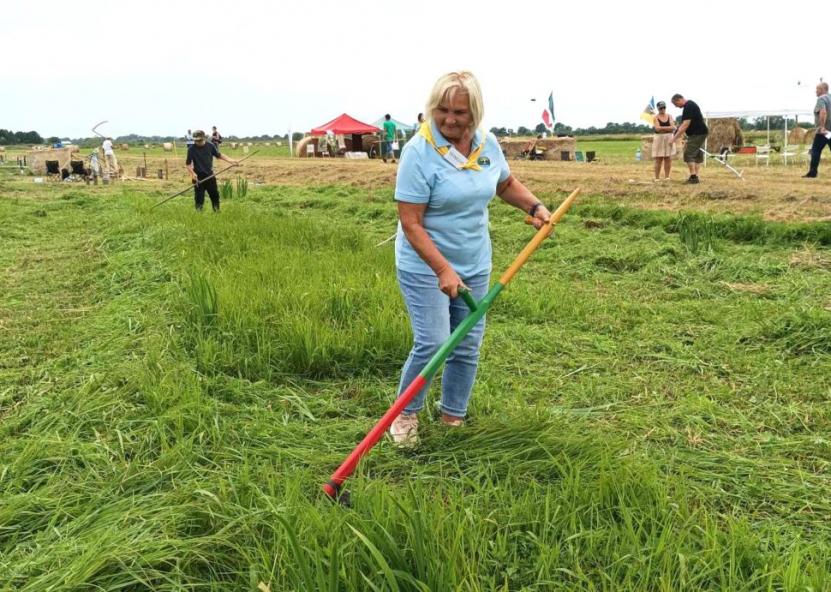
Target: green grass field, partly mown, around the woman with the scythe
x=652, y=408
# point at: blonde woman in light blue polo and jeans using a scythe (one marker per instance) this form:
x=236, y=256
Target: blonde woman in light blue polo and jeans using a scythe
x=447, y=176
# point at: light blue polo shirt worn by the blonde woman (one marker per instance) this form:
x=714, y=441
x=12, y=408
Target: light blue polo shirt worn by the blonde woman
x=457, y=200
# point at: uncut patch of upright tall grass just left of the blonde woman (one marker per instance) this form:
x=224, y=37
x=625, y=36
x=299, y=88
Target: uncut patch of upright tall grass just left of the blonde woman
x=298, y=300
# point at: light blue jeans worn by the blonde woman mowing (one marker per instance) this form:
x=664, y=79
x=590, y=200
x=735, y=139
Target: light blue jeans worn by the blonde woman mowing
x=433, y=316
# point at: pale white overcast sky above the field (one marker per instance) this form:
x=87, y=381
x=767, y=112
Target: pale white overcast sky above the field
x=251, y=68
